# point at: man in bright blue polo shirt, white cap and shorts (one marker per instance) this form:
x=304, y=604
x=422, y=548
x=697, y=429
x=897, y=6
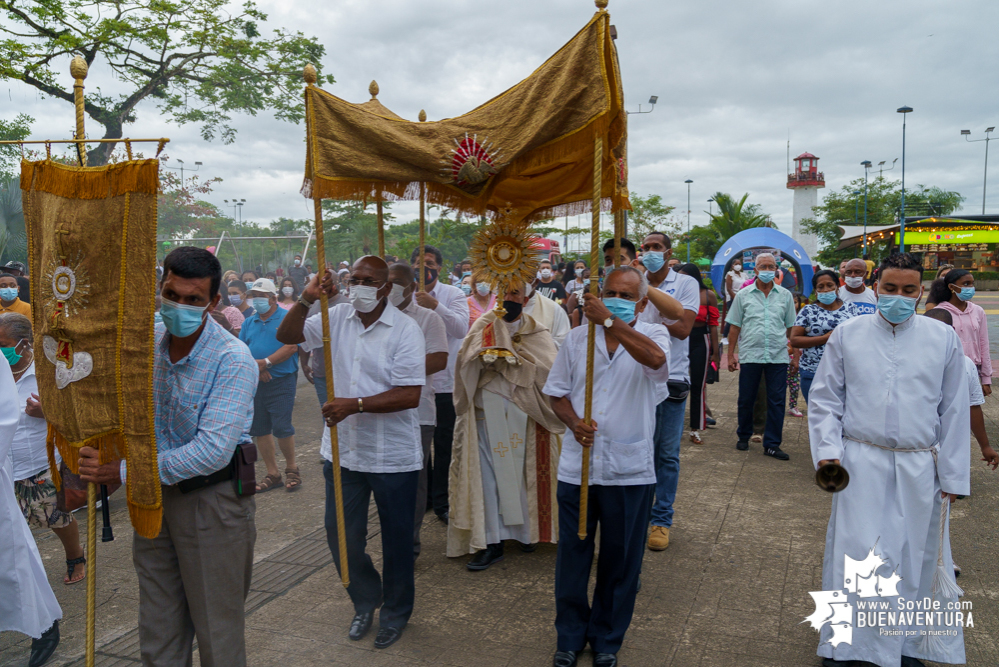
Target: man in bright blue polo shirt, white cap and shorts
x=275, y=397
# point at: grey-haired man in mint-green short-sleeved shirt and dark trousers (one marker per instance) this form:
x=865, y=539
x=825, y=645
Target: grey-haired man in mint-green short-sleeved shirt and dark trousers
x=761, y=318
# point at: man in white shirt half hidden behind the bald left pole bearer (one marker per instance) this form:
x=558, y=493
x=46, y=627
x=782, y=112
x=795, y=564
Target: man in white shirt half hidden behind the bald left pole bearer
x=403, y=286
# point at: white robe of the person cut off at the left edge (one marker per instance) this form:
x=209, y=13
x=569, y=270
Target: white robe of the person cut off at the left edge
x=27, y=604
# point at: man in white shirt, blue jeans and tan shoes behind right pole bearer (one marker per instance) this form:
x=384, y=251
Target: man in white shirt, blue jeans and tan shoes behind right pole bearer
x=656, y=251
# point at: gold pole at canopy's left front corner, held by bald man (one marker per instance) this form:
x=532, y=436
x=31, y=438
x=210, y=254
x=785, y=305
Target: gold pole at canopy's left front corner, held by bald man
x=317, y=203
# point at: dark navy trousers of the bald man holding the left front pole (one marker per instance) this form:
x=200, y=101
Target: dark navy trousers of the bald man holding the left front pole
x=395, y=494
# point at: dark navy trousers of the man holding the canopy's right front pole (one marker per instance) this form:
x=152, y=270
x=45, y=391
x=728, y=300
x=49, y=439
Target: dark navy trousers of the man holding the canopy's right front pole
x=622, y=512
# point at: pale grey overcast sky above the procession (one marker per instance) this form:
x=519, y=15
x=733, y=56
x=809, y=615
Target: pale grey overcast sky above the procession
x=733, y=78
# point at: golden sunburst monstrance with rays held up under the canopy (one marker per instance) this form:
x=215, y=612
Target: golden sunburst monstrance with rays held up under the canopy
x=504, y=254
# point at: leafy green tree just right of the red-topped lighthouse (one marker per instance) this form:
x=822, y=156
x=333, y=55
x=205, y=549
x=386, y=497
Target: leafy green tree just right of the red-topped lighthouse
x=884, y=199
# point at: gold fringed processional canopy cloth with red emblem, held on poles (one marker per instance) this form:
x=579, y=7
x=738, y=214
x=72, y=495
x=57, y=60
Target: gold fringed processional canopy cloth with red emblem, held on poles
x=525, y=154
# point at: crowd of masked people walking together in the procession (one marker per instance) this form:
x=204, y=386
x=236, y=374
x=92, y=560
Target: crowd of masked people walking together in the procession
x=457, y=398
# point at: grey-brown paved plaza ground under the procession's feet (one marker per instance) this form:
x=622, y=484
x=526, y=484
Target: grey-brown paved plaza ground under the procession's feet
x=732, y=589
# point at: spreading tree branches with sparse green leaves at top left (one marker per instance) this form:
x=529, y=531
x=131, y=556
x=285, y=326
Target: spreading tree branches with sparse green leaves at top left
x=201, y=60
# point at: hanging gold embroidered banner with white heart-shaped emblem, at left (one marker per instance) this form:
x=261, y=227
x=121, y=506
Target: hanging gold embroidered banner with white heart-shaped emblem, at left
x=92, y=251
